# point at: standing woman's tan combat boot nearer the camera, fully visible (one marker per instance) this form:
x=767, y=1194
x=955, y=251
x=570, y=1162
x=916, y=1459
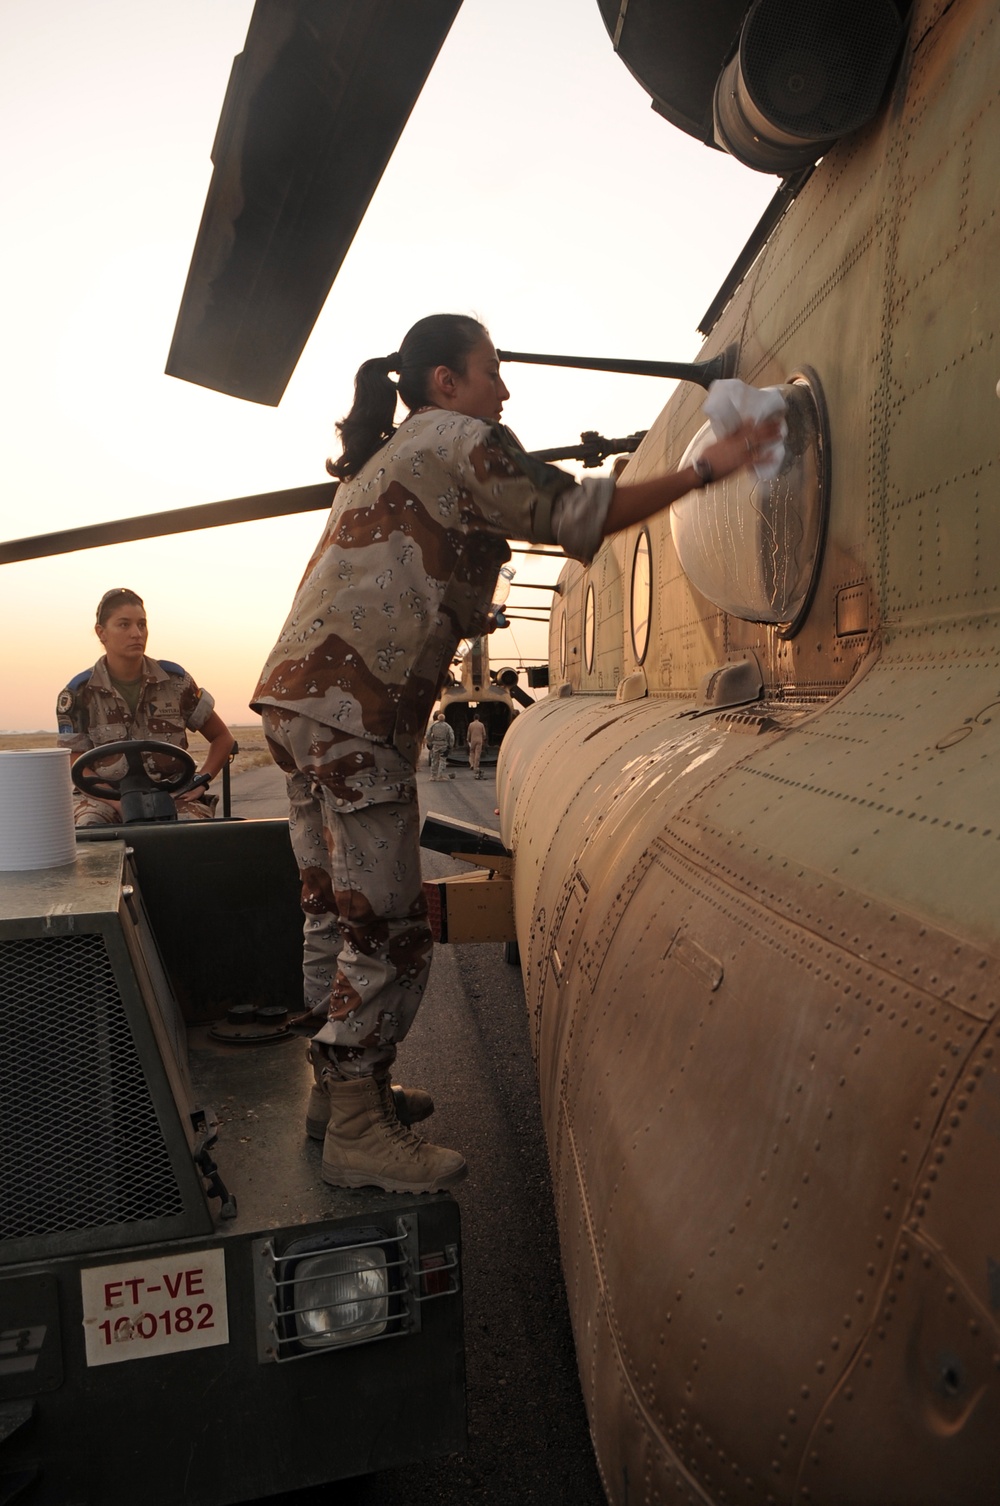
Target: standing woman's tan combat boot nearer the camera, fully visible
x=368, y=1147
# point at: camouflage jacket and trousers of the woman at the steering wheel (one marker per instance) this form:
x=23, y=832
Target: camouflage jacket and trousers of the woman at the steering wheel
x=90, y=713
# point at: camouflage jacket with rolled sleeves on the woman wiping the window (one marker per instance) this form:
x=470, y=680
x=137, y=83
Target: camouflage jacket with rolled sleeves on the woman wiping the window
x=404, y=570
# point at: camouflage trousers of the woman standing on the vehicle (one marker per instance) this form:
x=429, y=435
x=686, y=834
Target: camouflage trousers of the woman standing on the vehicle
x=367, y=951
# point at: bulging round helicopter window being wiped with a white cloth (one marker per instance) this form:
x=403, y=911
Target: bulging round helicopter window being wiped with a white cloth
x=754, y=547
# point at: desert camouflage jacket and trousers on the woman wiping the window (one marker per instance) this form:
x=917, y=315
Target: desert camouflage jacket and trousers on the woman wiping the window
x=404, y=570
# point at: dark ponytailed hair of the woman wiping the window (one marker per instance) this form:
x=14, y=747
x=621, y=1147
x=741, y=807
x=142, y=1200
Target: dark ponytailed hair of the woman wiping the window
x=442, y=340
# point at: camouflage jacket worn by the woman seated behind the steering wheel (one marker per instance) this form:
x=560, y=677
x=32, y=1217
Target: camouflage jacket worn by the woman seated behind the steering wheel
x=90, y=712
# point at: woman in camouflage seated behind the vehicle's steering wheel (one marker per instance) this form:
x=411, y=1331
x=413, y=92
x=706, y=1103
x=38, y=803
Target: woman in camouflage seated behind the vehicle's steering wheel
x=129, y=697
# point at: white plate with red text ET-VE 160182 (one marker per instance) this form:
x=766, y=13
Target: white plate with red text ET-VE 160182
x=144, y=1308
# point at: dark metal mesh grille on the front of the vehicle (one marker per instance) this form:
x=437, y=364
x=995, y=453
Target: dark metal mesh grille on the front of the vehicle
x=81, y=1145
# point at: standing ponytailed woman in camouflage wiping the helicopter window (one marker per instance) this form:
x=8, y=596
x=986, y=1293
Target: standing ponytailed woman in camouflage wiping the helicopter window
x=404, y=570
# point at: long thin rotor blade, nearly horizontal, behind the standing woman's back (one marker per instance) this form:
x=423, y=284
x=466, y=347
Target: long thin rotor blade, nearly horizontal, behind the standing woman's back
x=181, y=520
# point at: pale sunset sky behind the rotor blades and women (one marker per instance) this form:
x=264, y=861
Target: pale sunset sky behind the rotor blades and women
x=534, y=187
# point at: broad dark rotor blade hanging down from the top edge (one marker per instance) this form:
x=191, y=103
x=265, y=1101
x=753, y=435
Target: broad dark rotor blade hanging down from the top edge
x=316, y=106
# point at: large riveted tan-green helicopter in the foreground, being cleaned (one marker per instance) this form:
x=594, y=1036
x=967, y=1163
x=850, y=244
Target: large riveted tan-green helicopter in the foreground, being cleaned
x=757, y=877
